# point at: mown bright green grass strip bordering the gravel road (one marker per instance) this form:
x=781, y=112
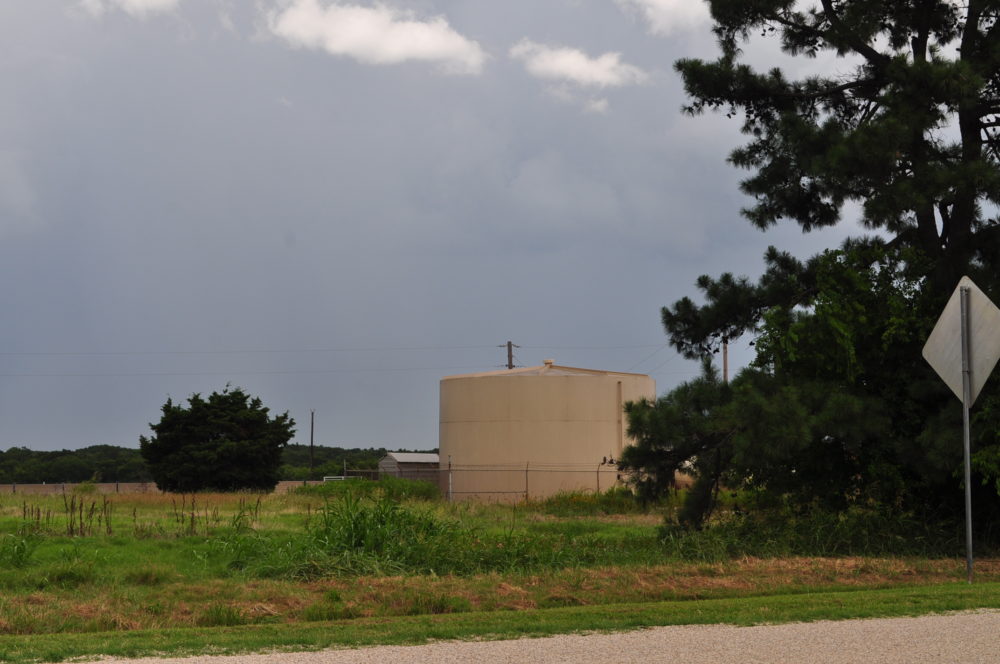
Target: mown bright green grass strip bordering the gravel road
x=445, y=625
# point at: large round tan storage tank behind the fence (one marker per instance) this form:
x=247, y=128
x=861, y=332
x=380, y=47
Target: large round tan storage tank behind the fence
x=535, y=431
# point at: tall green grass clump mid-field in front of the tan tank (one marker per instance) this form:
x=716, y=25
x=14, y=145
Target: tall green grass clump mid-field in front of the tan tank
x=373, y=535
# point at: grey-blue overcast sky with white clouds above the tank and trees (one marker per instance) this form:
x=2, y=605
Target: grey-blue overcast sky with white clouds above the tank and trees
x=335, y=204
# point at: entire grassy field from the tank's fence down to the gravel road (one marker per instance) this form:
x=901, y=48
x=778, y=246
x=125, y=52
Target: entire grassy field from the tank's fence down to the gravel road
x=235, y=572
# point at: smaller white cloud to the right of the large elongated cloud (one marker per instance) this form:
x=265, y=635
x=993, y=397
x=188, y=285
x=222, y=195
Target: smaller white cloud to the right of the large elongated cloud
x=570, y=65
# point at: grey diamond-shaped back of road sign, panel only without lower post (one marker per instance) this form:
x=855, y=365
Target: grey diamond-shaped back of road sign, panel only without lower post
x=943, y=350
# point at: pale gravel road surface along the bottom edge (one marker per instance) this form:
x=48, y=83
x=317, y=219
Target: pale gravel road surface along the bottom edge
x=968, y=637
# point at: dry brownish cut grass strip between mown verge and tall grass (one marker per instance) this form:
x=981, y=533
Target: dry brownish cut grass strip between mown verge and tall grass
x=222, y=602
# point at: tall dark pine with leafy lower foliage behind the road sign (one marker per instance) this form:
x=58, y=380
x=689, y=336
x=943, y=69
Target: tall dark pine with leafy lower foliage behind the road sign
x=839, y=406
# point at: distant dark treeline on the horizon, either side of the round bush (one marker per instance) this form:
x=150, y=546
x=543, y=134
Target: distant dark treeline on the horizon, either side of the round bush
x=107, y=463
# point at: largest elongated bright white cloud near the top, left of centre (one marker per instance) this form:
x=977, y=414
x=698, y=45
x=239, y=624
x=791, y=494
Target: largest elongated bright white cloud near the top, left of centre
x=378, y=35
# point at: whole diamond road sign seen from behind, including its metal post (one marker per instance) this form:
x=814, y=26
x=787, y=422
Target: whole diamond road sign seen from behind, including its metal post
x=964, y=363
